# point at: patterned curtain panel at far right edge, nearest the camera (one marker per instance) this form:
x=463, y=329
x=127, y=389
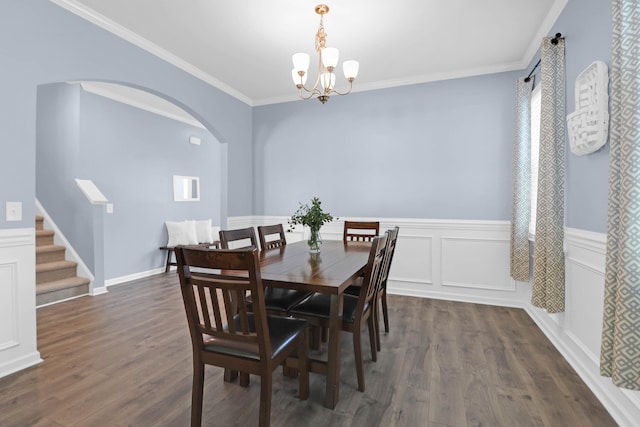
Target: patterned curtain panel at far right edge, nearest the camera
x=620, y=352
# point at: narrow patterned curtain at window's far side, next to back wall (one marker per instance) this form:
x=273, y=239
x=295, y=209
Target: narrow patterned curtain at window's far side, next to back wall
x=521, y=203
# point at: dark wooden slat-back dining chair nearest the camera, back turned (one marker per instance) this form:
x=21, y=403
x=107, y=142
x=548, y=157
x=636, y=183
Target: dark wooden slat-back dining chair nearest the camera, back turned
x=225, y=334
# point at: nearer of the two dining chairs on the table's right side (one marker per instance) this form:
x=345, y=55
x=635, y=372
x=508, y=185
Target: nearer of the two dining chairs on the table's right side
x=355, y=311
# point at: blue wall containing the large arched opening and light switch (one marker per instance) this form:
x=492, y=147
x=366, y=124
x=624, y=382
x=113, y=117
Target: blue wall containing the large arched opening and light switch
x=43, y=43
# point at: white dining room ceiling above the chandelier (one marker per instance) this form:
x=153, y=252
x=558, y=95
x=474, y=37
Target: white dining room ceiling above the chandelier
x=244, y=47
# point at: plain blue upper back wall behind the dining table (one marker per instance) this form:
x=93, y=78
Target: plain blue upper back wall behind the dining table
x=439, y=150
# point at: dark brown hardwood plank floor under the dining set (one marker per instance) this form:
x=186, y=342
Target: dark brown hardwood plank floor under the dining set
x=124, y=359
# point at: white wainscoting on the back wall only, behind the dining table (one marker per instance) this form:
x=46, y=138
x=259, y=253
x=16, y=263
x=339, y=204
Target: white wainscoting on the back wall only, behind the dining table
x=446, y=259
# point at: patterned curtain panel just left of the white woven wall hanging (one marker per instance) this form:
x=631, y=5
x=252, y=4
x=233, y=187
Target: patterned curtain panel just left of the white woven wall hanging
x=548, y=259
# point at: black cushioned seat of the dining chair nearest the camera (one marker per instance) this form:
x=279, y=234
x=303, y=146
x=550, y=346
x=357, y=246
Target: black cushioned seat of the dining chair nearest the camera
x=282, y=330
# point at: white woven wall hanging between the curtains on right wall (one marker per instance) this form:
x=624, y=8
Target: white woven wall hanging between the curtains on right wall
x=588, y=125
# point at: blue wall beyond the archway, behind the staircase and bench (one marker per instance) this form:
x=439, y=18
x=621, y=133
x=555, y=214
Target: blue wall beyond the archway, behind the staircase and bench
x=131, y=155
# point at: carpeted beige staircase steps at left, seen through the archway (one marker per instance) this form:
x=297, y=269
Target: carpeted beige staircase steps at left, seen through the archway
x=56, y=278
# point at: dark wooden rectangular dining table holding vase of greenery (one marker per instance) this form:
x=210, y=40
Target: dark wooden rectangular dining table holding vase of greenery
x=331, y=271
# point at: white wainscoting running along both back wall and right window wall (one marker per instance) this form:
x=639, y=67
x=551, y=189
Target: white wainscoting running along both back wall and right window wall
x=469, y=261
